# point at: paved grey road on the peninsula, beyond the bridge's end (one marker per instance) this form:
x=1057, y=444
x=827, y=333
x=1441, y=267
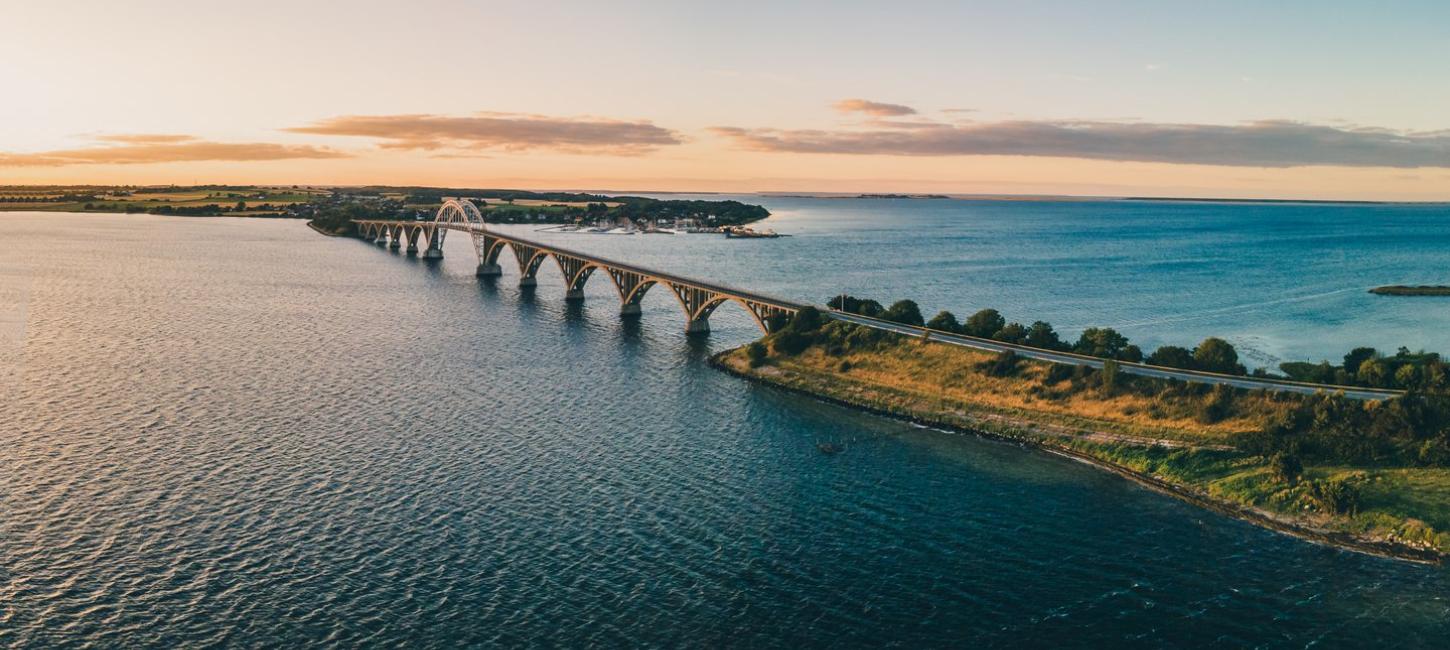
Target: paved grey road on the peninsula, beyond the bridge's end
x=1252, y=384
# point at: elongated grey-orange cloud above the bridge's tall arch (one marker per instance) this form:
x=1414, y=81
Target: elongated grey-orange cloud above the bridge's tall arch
x=500, y=131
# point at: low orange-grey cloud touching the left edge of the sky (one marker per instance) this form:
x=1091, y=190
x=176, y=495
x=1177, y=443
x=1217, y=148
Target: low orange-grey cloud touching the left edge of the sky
x=147, y=149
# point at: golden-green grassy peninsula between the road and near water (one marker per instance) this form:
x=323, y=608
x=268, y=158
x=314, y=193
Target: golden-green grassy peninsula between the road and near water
x=1372, y=477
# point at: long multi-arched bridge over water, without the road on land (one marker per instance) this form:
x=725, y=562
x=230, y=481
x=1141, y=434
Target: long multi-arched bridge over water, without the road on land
x=698, y=300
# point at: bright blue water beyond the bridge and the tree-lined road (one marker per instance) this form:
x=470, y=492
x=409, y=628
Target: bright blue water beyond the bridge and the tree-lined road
x=1283, y=282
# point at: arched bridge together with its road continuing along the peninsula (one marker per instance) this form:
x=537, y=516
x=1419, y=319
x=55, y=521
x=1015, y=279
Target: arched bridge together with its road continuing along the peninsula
x=700, y=300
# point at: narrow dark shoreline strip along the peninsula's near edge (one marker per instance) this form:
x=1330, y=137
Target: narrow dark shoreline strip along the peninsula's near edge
x=1252, y=516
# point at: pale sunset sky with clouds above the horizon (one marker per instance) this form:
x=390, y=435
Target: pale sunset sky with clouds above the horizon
x=1227, y=99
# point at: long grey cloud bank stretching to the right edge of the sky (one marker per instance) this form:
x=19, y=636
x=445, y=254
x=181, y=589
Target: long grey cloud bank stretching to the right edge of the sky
x=1255, y=144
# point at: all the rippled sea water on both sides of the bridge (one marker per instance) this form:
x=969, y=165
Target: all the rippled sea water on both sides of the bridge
x=239, y=433
